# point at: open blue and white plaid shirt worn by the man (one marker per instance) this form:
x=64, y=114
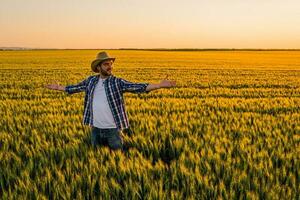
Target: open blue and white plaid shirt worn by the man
x=114, y=89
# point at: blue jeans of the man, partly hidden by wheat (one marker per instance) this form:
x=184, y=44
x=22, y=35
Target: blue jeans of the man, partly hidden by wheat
x=108, y=137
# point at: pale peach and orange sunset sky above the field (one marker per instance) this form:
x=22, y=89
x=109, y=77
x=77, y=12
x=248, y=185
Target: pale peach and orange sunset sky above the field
x=100, y=24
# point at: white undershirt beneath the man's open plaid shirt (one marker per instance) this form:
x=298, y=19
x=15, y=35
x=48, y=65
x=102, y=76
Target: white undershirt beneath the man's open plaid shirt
x=102, y=114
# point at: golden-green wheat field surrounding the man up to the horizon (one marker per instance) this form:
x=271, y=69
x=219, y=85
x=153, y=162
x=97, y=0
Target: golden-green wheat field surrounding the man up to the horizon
x=230, y=129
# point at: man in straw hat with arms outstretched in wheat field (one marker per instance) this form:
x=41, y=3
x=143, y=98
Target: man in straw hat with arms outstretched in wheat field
x=104, y=108
